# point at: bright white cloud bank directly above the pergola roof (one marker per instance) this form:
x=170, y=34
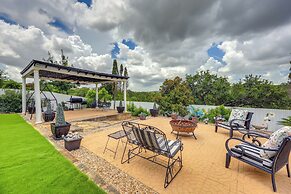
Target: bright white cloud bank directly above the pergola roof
x=18, y=46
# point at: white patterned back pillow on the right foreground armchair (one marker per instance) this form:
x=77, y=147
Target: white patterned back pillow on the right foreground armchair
x=275, y=141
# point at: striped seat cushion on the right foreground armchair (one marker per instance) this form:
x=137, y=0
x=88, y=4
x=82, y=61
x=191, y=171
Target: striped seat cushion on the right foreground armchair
x=252, y=154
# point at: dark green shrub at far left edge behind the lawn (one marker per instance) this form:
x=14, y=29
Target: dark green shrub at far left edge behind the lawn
x=10, y=102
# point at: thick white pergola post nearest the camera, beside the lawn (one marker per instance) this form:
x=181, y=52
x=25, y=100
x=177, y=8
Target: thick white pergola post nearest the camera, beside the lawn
x=37, y=97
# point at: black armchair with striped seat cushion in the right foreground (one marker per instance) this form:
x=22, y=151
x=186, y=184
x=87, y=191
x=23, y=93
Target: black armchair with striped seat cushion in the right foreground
x=250, y=153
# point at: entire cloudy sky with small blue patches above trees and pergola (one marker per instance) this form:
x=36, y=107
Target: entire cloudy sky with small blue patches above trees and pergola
x=154, y=39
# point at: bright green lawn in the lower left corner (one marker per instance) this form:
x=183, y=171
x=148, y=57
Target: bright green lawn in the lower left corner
x=30, y=164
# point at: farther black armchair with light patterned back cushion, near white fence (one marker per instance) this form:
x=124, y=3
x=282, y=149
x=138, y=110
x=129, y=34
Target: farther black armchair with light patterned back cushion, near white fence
x=238, y=120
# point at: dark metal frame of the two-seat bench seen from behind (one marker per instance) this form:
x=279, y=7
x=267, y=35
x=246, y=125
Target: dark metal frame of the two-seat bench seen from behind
x=138, y=147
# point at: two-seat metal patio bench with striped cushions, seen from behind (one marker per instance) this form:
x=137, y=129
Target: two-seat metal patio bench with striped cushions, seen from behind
x=144, y=137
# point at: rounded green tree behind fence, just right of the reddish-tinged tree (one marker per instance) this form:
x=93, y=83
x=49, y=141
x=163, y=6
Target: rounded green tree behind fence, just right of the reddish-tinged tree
x=208, y=88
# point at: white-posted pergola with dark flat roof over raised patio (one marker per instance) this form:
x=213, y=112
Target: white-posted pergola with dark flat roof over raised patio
x=40, y=70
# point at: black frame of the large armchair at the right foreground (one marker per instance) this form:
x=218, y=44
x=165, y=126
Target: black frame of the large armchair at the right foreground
x=280, y=160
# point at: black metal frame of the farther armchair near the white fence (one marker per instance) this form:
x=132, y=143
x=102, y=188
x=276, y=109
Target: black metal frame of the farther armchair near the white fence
x=234, y=126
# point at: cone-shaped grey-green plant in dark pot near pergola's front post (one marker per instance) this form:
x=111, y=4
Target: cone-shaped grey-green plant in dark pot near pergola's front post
x=60, y=127
